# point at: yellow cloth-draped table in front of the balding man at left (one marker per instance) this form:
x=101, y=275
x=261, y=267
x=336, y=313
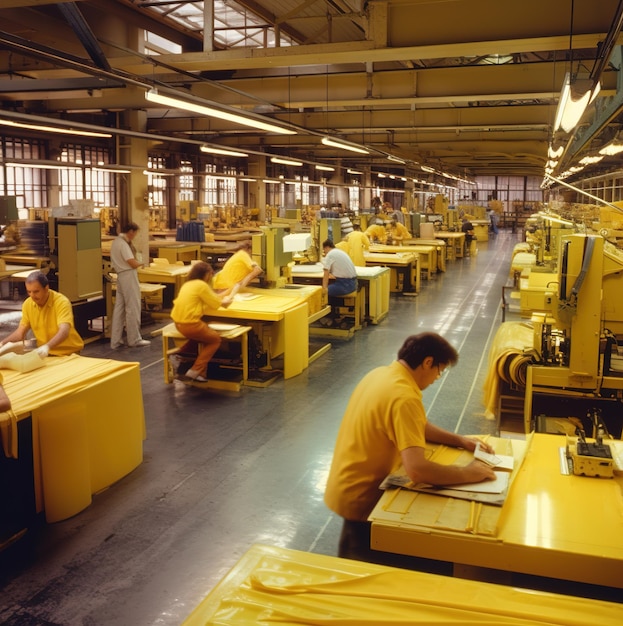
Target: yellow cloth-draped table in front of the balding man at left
x=88, y=427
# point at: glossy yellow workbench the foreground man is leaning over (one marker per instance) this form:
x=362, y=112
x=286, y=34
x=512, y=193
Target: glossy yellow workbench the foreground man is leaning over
x=551, y=524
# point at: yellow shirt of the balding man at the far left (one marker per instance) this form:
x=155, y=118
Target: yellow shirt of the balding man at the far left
x=46, y=320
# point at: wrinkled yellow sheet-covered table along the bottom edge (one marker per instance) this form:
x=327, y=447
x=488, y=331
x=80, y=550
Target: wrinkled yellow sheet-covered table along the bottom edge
x=271, y=585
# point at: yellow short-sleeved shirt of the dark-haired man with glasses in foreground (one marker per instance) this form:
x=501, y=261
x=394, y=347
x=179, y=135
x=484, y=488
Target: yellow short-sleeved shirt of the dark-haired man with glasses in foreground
x=384, y=416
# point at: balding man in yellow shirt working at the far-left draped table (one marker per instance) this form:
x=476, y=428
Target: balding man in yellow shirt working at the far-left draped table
x=50, y=316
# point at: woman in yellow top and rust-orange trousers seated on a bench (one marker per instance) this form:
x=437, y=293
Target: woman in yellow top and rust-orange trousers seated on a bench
x=195, y=299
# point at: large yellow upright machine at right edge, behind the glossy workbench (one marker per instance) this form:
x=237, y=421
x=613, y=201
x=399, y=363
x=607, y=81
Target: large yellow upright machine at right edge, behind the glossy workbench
x=577, y=336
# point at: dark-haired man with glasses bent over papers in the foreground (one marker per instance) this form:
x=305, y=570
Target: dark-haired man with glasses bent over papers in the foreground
x=384, y=426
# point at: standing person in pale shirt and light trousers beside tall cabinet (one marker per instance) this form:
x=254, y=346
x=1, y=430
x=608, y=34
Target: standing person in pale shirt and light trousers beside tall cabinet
x=127, y=310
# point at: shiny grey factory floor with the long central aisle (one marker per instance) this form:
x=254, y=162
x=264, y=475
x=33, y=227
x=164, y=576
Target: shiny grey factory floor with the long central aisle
x=224, y=471
